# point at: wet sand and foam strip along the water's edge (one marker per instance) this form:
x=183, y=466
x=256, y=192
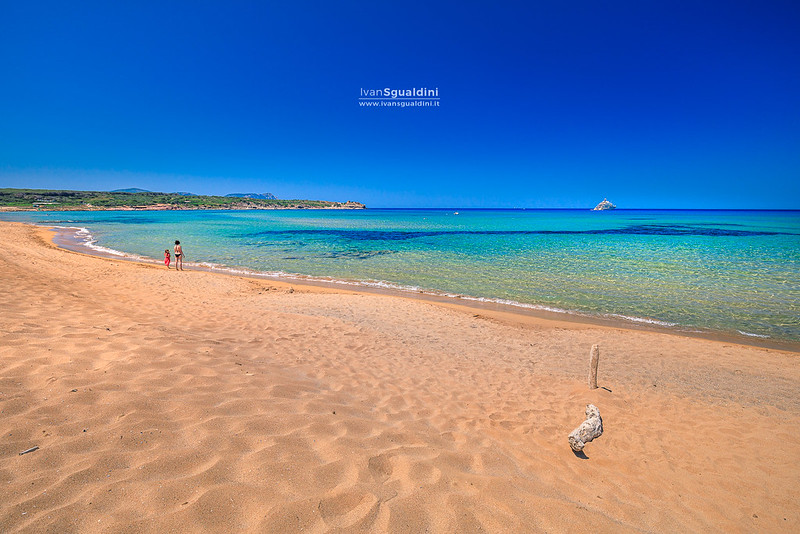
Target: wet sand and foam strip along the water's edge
x=510, y=311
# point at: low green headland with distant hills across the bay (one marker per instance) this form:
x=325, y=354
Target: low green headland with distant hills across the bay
x=45, y=199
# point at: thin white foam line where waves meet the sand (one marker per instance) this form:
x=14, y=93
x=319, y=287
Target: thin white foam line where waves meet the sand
x=87, y=239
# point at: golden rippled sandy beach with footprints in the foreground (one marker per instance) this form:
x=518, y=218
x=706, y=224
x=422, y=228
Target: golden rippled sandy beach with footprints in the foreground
x=164, y=401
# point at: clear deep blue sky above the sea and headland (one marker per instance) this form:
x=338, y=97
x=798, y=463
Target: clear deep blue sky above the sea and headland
x=543, y=104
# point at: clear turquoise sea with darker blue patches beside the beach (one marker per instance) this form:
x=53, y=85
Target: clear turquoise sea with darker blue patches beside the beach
x=732, y=272
